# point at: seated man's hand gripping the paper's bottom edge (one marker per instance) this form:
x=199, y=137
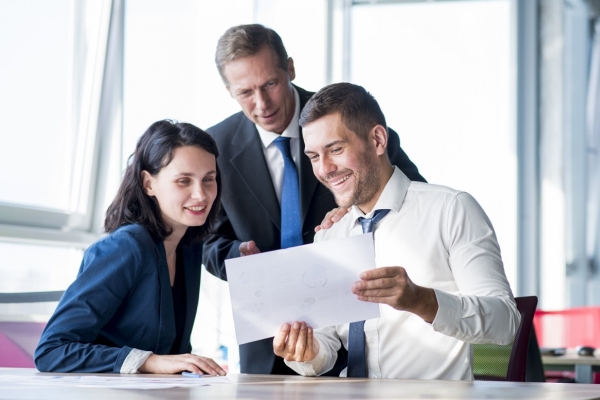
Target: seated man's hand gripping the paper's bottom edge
x=295, y=342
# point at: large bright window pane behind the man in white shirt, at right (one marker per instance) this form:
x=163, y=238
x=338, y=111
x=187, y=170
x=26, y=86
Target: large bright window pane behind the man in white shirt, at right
x=443, y=74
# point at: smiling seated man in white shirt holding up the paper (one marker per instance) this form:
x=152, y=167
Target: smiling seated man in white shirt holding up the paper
x=440, y=280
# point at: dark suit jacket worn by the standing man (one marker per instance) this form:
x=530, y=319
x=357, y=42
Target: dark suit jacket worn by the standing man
x=250, y=209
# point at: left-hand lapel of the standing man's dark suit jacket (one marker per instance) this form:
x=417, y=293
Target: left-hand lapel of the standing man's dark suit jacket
x=253, y=169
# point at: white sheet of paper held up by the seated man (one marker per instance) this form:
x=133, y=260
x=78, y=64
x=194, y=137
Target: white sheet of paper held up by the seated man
x=310, y=283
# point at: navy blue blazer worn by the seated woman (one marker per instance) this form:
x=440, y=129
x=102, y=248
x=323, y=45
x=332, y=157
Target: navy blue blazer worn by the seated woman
x=121, y=299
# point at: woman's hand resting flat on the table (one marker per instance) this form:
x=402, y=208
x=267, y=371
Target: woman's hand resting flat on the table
x=173, y=364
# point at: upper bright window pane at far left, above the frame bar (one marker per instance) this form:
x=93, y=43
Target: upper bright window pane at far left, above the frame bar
x=50, y=84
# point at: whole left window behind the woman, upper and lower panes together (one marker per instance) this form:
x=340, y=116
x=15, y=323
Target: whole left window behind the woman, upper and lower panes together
x=52, y=69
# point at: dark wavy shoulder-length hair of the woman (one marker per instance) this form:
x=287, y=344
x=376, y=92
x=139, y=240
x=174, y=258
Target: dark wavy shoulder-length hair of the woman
x=154, y=150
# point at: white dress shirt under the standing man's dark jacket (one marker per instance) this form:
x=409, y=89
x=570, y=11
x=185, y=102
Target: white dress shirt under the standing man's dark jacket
x=272, y=154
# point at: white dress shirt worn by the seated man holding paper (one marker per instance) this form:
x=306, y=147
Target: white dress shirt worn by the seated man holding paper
x=444, y=240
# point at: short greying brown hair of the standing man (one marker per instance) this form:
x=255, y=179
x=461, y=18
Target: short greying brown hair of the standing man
x=247, y=40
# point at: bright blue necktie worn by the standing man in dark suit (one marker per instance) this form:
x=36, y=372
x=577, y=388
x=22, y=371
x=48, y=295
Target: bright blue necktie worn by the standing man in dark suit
x=291, y=220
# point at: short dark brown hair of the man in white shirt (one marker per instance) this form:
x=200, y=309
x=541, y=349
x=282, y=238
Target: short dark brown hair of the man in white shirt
x=358, y=108
